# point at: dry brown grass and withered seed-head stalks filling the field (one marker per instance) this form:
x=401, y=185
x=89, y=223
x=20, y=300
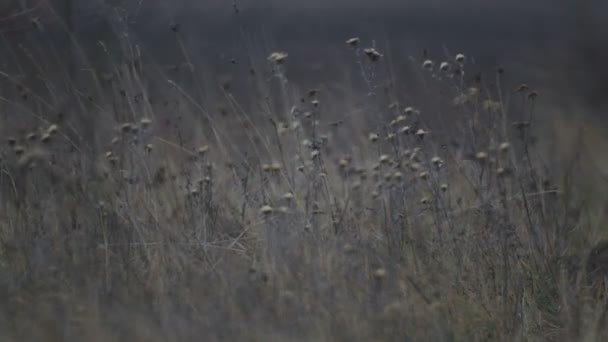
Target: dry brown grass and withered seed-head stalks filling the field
x=133, y=209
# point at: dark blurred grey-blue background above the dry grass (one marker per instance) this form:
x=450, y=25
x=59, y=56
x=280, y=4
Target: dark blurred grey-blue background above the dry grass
x=558, y=46
